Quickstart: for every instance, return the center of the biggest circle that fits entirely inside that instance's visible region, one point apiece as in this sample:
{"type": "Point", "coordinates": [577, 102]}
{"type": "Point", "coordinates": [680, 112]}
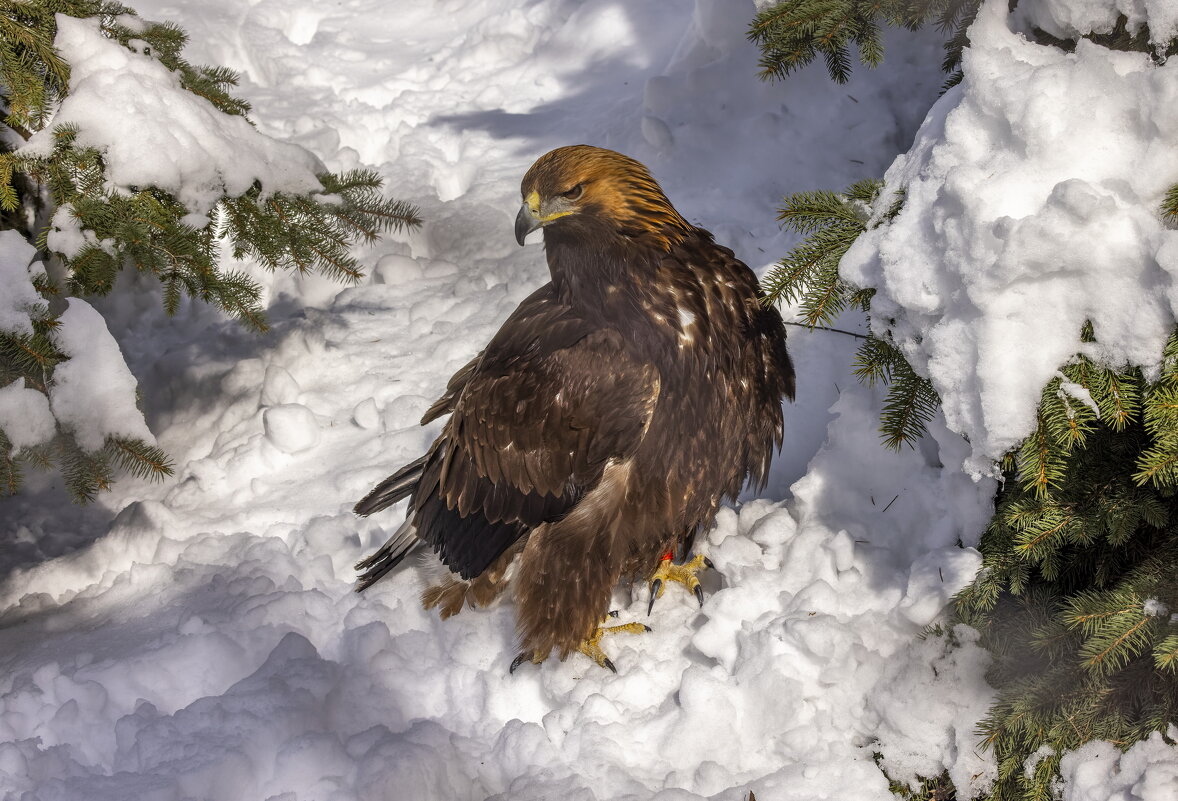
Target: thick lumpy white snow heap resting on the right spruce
{"type": "Point", "coordinates": [1033, 206]}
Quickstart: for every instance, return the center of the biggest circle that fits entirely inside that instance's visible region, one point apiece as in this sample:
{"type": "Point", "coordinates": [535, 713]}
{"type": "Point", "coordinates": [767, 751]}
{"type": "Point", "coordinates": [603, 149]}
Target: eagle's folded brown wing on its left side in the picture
{"type": "Point", "coordinates": [534, 423]}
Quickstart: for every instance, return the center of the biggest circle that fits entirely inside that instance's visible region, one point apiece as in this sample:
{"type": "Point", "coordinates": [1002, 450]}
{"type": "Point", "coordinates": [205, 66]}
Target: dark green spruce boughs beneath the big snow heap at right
{"type": "Point", "coordinates": [1068, 566]}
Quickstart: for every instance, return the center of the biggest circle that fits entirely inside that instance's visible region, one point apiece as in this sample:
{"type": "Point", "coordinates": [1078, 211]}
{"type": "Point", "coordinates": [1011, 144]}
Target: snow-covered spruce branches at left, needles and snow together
{"type": "Point", "coordinates": [118, 154]}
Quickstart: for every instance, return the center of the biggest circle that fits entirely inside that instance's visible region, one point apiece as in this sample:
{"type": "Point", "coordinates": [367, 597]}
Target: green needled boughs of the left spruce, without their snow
{"type": "Point", "coordinates": [147, 228]}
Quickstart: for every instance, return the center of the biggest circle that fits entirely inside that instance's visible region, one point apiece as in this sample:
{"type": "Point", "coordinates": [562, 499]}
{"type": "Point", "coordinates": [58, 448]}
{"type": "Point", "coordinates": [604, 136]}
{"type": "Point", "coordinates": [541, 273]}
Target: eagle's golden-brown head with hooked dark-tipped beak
{"type": "Point", "coordinates": [581, 188]}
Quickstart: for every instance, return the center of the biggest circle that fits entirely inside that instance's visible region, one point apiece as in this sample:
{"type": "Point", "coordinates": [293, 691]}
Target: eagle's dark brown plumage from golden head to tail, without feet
{"type": "Point", "coordinates": [608, 418]}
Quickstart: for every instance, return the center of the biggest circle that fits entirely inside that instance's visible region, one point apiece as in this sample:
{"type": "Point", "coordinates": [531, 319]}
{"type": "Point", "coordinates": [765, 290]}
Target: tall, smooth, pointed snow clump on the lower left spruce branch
{"type": "Point", "coordinates": [94, 393]}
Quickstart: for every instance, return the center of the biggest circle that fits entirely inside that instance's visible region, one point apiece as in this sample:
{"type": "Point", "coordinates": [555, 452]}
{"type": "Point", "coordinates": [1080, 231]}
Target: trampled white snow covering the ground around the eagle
{"type": "Point", "coordinates": [200, 638]}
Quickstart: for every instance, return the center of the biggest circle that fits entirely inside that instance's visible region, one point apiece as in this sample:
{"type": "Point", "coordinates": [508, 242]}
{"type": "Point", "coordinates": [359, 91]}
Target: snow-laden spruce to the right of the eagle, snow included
{"type": "Point", "coordinates": [1071, 390]}
